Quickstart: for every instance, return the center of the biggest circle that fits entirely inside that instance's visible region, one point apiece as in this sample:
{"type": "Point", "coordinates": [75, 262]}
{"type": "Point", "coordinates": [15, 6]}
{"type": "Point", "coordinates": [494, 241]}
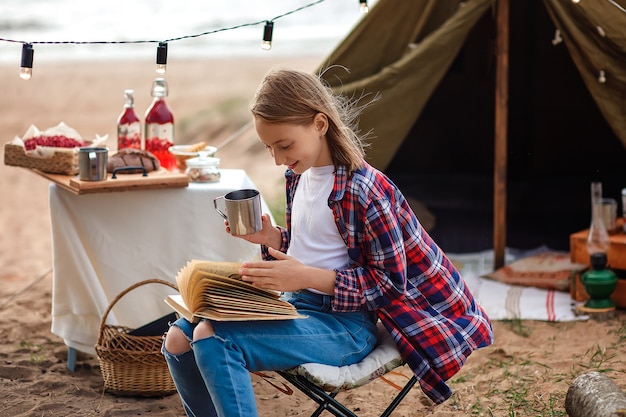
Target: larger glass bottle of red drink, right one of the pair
{"type": "Point", "coordinates": [159, 126]}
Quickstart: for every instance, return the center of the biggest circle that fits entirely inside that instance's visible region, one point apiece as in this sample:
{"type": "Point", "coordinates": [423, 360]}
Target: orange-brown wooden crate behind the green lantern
{"type": "Point", "coordinates": [616, 256]}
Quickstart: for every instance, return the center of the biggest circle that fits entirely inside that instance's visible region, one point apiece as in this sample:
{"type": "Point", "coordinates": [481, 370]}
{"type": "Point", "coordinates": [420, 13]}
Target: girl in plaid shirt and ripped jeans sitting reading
{"type": "Point", "coordinates": [352, 253]}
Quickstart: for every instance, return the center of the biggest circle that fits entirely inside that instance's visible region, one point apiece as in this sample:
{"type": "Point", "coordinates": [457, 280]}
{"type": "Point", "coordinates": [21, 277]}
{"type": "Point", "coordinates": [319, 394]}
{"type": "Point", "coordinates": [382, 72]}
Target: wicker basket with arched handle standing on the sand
{"type": "Point", "coordinates": [132, 365]}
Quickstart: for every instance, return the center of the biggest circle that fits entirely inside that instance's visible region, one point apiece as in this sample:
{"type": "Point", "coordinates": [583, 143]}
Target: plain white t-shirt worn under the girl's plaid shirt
{"type": "Point", "coordinates": [315, 240]}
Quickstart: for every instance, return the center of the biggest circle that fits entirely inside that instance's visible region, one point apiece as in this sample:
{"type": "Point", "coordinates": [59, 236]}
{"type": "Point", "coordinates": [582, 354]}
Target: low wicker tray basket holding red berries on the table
{"type": "Point", "coordinates": [60, 162]}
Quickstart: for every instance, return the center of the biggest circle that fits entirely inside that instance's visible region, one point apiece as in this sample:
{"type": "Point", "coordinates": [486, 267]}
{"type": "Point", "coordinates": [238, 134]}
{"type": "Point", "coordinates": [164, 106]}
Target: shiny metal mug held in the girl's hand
{"type": "Point", "coordinates": [243, 211]}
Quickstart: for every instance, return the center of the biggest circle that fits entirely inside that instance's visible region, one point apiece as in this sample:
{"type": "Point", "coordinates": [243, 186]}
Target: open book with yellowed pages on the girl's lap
{"type": "Point", "coordinates": [214, 290]}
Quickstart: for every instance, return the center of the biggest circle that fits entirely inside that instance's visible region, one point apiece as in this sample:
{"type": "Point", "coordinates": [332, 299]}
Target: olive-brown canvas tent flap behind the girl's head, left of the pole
{"type": "Point", "coordinates": [390, 63]}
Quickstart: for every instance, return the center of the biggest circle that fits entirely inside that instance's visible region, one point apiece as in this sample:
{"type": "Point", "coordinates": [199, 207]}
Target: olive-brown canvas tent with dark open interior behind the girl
{"type": "Point", "coordinates": [433, 64]}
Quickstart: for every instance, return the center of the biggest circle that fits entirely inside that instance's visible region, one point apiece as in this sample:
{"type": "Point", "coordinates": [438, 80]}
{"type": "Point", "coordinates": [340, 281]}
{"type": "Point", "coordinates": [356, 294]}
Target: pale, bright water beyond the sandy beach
{"type": "Point", "coordinates": [313, 30]}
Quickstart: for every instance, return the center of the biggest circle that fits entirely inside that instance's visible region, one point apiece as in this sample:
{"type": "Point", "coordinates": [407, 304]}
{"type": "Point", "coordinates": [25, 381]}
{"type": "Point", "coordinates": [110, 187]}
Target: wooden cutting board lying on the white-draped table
{"type": "Point", "coordinates": [122, 182]}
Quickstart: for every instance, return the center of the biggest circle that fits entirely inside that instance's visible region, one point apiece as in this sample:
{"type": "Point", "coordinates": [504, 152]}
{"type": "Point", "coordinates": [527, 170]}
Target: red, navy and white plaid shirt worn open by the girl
{"type": "Point", "coordinates": [399, 272]}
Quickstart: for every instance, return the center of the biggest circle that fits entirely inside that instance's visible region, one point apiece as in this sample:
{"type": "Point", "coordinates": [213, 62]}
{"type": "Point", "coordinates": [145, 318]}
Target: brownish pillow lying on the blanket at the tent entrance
{"type": "Point", "coordinates": [549, 270]}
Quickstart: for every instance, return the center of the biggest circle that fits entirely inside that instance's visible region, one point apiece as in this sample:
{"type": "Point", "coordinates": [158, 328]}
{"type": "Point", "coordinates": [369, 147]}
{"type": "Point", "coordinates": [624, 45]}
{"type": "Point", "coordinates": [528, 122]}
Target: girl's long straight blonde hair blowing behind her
{"type": "Point", "coordinates": [295, 97]}
